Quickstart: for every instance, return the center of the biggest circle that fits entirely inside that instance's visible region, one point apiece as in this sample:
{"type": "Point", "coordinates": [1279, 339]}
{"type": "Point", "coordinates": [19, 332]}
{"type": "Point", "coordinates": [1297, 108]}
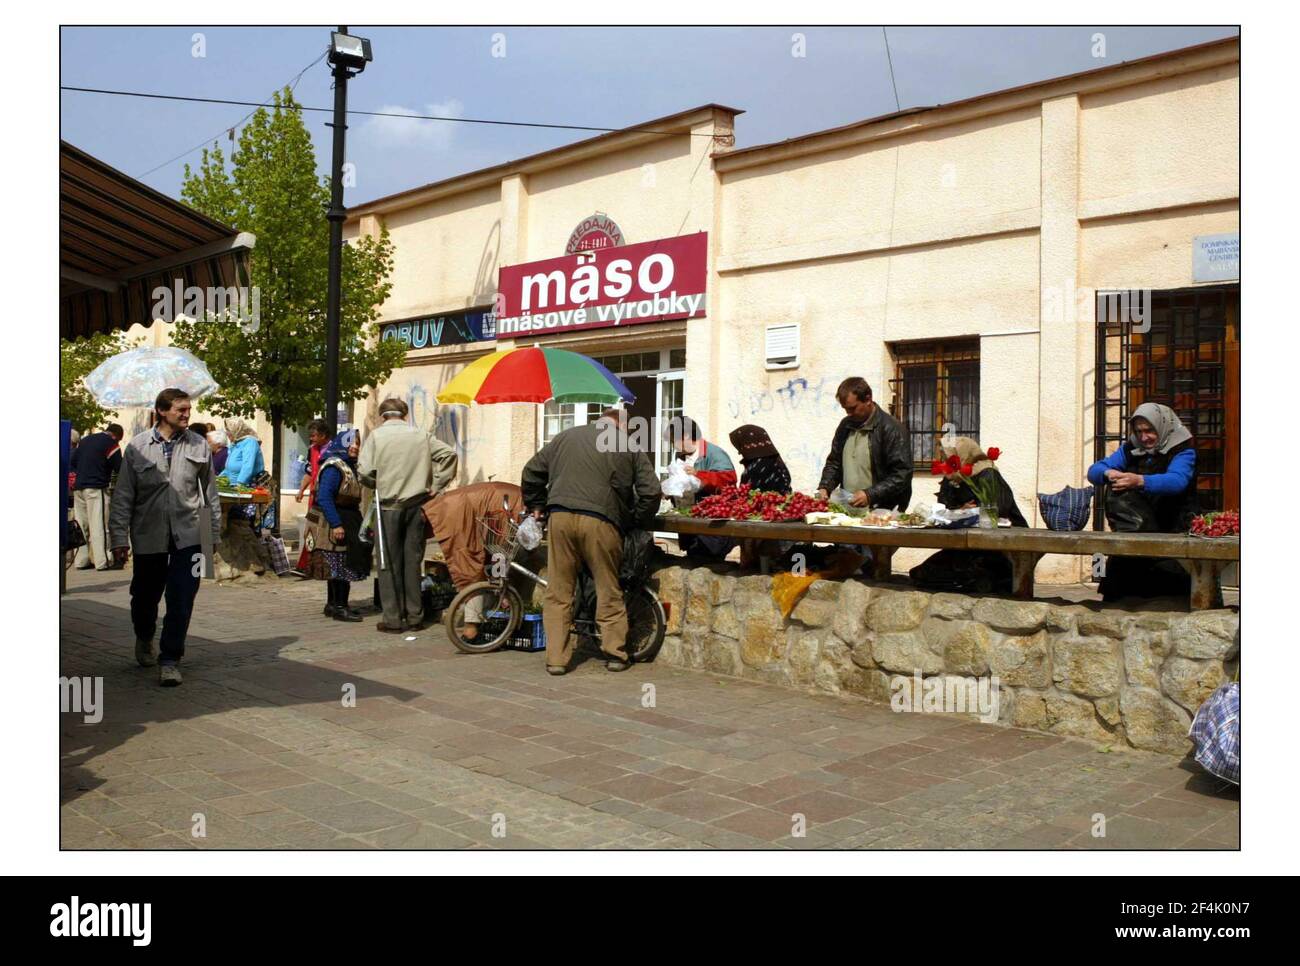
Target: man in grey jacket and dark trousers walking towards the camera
{"type": "Point", "coordinates": [166, 493]}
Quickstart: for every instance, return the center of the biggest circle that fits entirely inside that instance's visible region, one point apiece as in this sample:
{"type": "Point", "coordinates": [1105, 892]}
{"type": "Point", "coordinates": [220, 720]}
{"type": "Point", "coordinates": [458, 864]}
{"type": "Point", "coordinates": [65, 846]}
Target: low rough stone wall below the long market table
{"type": "Point", "coordinates": [1103, 673]}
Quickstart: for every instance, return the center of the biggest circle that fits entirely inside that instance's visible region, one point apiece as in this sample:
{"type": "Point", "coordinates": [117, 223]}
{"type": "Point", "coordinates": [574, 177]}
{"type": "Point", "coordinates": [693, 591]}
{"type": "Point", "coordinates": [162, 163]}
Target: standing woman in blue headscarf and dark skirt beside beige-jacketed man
{"type": "Point", "coordinates": [335, 522]}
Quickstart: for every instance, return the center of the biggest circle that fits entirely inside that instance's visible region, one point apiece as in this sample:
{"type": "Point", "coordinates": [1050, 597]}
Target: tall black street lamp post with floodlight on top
{"type": "Point", "coordinates": [349, 57]}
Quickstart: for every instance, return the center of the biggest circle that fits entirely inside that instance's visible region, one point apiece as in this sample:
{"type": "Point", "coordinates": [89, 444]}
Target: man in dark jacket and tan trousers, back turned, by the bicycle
{"type": "Point", "coordinates": [595, 487]}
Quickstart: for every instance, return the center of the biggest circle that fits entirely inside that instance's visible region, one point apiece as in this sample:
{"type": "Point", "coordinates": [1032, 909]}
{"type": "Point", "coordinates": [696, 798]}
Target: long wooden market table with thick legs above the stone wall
{"type": "Point", "coordinates": [1204, 560]}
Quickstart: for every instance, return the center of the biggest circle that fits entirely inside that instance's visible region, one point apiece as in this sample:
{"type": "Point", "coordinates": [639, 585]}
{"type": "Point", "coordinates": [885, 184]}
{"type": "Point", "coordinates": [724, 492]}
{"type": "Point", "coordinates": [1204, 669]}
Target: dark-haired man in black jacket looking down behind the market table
{"type": "Point", "coordinates": [870, 454]}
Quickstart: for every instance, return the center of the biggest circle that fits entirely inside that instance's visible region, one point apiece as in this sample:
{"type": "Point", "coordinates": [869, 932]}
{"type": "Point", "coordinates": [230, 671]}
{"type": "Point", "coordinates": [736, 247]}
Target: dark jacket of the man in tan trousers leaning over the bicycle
{"type": "Point", "coordinates": [574, 471]}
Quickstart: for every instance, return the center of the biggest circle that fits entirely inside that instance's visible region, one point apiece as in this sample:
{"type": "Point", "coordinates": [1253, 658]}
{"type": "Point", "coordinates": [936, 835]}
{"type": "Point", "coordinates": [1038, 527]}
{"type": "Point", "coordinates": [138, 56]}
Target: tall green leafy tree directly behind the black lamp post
{"type": "Point", "coordinates": [278, 366]}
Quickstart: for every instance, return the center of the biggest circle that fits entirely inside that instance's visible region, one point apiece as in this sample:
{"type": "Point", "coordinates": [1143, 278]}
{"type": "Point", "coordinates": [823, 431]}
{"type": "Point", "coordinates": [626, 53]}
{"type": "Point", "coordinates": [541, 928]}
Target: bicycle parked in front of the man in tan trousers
{"type": "Point", "coordinates": [496, 609]}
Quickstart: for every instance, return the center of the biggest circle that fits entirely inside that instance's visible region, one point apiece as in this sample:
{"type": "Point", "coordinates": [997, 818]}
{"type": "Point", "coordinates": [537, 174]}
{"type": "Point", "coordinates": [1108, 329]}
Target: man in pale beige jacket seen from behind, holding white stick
{"type": "Point", "coordinates": [406, 467]}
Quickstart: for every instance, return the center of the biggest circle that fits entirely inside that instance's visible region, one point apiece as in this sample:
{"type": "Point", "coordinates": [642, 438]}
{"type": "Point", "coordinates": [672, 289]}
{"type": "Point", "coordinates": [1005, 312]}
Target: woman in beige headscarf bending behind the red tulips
{"type": "Point", "coordinates": [970, 571]}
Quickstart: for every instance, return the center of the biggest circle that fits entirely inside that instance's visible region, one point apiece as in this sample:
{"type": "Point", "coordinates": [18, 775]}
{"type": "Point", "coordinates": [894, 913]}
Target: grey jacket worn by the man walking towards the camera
{"type": "Point", "coordinates": [151, 505]}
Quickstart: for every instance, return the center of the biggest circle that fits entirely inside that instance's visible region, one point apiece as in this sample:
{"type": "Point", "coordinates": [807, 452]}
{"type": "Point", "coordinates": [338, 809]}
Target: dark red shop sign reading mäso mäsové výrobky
{"type": "Point", "coordinates": [630, 285]}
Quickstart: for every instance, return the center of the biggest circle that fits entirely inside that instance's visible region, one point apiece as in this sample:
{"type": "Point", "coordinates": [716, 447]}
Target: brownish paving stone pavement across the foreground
{"type": "Point", "coordinates": [445, 751]}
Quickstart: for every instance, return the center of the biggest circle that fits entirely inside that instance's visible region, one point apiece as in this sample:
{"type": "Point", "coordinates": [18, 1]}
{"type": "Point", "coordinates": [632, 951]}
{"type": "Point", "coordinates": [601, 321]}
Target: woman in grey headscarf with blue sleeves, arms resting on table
{"type": "Point", "coordinates": [1150, 487]}
